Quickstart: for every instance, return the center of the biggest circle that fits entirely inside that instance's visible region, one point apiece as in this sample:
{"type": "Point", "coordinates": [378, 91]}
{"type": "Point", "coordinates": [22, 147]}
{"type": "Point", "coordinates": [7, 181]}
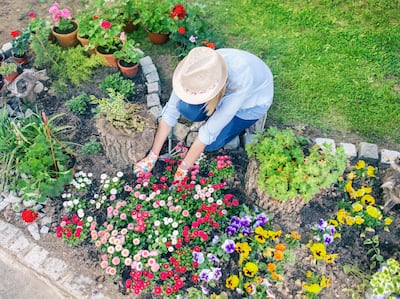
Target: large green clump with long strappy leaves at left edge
{"type": "Point", "coordinates": [35, 162]}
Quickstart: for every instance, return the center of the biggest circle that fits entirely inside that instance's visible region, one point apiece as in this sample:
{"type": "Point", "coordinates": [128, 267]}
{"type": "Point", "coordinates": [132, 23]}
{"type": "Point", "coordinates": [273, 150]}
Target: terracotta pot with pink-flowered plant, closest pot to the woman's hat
{"type": "Point", "coordinates": [128, 56]}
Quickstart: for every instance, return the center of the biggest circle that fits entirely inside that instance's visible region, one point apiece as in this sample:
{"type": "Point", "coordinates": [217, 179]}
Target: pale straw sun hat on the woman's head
{"type": "Point", "coordinates": [200, 76]}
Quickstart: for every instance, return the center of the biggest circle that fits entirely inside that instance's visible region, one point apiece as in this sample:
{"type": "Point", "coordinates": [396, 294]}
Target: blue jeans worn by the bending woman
{"type": "Point", "coordinates": [230, 131]}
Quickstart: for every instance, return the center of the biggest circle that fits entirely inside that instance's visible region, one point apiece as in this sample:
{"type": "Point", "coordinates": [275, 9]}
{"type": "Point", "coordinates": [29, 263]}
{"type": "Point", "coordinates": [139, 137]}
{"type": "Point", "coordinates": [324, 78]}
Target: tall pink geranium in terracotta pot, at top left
{"type": "Point", "coordinates": [64, 28]}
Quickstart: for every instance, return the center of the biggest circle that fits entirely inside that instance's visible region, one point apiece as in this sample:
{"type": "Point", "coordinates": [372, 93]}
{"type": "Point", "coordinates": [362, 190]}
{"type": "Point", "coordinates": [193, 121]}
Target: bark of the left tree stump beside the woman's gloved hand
{"type": "Point", "coordinates": [124, 149]}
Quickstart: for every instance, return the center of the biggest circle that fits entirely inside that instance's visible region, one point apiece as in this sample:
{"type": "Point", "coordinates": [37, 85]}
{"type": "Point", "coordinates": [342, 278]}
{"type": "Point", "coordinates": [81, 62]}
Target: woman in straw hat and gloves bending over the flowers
{"type": "Point", "coordinates": [227, 89]}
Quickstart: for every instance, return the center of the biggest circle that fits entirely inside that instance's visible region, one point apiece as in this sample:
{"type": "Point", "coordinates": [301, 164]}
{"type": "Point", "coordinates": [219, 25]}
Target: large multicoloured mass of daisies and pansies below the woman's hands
{"type": "Point", "coordinates": [166, 239]}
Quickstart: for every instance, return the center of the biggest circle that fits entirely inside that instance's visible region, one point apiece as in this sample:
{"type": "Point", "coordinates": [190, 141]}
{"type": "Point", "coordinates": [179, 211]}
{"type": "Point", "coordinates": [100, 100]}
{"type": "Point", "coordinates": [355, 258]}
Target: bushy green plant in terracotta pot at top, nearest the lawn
{"type": "Point", "coordinates": [156, 18]}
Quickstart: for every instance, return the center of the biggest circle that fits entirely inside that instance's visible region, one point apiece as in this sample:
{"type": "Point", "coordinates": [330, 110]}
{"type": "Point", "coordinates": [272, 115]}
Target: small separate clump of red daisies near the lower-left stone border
{"type": "Point", "coordinates": [72, 230]}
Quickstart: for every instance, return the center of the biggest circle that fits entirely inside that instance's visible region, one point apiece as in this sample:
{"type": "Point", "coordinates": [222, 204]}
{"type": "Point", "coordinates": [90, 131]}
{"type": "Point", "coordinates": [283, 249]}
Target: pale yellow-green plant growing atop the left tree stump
{"type": "Point", "coordinates": [120, 114]}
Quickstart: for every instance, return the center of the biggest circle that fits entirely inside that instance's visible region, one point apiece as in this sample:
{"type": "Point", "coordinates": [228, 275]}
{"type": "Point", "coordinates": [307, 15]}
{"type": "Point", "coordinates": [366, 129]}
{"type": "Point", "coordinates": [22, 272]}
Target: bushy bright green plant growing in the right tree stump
{"type": "Point", "coordinates": [289, 167]}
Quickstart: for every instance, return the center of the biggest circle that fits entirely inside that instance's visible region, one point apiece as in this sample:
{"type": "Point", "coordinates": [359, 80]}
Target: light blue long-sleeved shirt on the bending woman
{"type": "Point", "coordinates": [249, 94]}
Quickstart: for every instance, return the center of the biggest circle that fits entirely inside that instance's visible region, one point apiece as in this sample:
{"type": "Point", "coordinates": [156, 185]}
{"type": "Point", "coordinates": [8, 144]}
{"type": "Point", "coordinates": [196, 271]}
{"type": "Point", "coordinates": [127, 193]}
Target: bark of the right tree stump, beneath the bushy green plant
{"type": "Point", "coordinates": [265, 201]}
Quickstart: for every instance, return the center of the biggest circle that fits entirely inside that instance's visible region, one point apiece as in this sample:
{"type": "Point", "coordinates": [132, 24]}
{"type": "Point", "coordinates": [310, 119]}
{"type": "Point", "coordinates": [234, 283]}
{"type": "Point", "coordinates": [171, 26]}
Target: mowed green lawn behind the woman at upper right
{"type": "Point", "coordinates": [336, 64]}
